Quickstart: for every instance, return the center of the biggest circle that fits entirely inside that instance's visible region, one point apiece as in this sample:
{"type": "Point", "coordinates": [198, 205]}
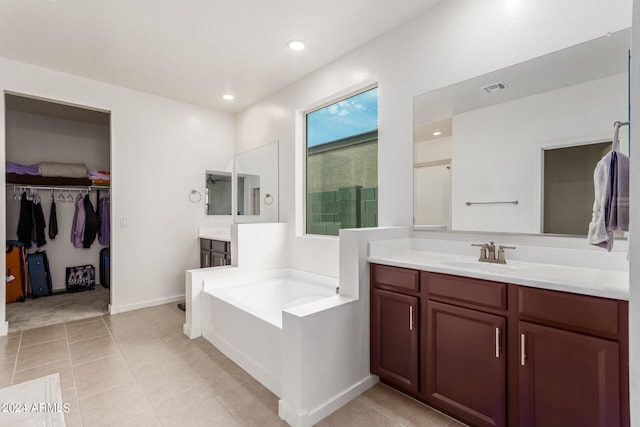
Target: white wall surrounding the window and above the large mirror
{"type": "Point", "coordinates": [454, 41]}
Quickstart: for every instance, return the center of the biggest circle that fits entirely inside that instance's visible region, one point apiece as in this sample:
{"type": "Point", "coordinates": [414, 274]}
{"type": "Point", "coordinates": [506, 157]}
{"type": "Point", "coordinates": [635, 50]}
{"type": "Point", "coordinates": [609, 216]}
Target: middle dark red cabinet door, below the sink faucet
{"type": "Point", "coordinates": [466, 363]}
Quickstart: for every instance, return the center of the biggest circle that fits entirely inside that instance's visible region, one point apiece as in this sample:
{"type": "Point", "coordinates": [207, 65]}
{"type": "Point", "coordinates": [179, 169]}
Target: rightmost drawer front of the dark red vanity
{"type": "Point", "coordinates": [574, 311]}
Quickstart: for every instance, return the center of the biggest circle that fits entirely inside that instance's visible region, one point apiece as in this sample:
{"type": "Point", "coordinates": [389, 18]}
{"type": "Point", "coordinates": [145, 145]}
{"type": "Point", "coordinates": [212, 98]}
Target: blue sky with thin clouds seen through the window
{"type": "Point", "coordinates": [351, 116]}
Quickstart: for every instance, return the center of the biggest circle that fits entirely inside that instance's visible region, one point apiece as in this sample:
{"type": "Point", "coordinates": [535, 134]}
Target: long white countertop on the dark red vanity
{"type": "Point", "coordinates": [581, 280]}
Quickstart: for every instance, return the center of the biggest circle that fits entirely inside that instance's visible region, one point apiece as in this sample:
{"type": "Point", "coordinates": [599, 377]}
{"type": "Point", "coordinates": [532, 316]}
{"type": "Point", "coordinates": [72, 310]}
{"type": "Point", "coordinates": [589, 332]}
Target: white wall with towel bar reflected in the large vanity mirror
{"type": "Point", "coordinates": [519, 130]}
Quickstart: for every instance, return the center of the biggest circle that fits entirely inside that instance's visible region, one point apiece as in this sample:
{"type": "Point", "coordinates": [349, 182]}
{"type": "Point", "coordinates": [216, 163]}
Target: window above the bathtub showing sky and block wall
{"type": "Point", "coordinates": [342, 164]}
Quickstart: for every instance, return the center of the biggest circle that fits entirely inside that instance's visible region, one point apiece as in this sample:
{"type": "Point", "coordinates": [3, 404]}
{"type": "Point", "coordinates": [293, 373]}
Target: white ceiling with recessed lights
{"type": "Point", "coordinates": [195, 50]}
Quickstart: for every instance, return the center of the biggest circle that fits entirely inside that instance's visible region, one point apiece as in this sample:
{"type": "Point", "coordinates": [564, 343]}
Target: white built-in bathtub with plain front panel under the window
{"type": "Point", "coordinates": [243, 318]}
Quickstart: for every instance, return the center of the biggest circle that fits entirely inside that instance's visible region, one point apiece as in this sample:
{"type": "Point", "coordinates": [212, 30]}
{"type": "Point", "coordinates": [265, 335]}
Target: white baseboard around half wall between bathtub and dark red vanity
{"type": "Point", "coordinates": [309, 418]}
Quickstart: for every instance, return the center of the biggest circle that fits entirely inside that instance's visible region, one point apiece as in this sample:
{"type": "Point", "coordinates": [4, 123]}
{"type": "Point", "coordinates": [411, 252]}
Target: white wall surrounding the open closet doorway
{"type": "Point", "coordinates": [160, 150]}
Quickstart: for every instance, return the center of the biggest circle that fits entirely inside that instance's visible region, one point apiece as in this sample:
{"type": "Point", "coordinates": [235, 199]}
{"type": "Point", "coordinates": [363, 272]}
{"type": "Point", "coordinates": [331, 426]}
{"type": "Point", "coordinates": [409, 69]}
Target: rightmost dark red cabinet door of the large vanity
{"type": "Point", "coordinates": [567, 379]}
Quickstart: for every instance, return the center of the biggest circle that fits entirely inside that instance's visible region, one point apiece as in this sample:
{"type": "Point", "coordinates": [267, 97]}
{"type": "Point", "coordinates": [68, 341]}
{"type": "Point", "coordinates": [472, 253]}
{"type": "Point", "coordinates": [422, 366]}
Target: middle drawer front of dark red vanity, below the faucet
{"type": "Point", "coordinates": [470, 292]}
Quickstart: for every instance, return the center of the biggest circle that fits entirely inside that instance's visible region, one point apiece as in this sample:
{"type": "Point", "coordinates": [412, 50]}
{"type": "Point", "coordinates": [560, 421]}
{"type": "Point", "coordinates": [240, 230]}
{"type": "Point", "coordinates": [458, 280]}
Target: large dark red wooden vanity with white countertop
{"type": "Point", "coordinates": [498, 353]}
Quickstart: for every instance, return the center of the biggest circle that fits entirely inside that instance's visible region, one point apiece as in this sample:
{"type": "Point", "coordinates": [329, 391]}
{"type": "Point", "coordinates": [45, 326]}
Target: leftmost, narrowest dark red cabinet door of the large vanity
{"type": "Point", "coordinates": [394, 339]}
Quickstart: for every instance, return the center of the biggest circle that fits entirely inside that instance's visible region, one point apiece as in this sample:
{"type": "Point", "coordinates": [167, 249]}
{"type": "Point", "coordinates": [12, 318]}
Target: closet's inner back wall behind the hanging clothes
{"type": "Point", "coordinates": [32, 138]}
